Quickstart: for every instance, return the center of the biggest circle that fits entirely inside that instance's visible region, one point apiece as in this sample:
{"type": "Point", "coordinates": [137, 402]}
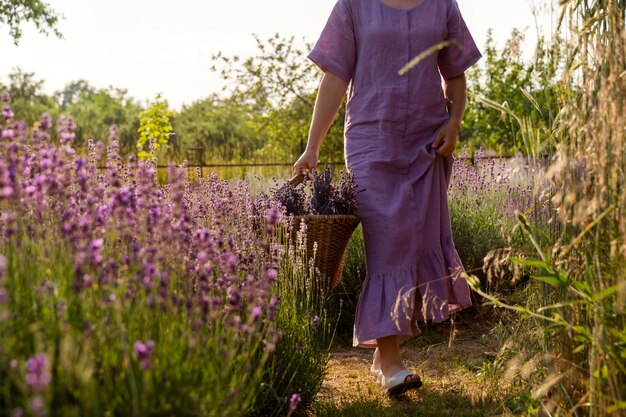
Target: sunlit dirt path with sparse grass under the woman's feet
{"type": "Point", "coordinates": [458, 376]}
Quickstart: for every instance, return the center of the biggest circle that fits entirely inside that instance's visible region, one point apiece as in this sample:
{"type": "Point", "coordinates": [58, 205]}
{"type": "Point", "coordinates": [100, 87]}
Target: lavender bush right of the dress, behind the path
{"type": "Point", "coordinates": [484, 195]}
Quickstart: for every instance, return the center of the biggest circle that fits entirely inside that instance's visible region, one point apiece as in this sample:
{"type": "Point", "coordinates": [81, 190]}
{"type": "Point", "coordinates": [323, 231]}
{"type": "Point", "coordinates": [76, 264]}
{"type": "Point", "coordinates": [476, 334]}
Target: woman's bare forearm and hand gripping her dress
{"type": "Point", "coordinates": [455, 90]}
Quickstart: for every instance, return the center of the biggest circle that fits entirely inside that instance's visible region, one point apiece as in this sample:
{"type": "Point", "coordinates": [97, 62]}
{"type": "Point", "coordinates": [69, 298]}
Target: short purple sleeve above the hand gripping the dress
{"type": "Point", "coordinates": [463, 52]}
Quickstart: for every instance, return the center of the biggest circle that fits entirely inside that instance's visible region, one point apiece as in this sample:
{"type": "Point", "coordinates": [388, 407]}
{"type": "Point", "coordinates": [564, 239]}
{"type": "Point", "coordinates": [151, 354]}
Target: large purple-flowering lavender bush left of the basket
{"type": "Point", "coordinates": [119, 296]}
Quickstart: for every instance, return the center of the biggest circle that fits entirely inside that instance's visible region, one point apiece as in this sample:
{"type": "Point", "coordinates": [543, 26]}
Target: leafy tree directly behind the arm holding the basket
{"type": "Point", "coordinates": [278, 86]}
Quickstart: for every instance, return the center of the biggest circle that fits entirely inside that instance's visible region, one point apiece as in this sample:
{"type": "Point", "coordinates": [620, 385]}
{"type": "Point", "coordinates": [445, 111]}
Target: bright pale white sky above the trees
{"type": "Point", "coordinates": [166, 47]}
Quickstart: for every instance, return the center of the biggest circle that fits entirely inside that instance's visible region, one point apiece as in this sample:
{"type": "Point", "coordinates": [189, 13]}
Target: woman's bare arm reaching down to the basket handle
{"type": "Point", "coordinates": [329, 97]}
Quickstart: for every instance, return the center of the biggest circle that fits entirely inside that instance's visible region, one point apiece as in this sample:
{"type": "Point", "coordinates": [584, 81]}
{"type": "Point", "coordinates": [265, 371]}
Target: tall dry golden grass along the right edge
{"type": "Point", "coordinates": [574, 314]}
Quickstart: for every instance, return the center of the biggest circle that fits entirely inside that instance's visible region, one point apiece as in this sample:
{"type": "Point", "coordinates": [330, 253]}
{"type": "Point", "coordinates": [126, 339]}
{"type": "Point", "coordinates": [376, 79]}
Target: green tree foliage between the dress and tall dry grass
{"type": "Point", "coordinates": [507, 93]}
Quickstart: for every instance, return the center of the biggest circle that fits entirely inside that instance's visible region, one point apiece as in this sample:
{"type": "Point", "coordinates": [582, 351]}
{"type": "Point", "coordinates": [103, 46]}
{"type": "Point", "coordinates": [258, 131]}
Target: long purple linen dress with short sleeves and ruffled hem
{"type": "Point", "coordinates": [413, 269]}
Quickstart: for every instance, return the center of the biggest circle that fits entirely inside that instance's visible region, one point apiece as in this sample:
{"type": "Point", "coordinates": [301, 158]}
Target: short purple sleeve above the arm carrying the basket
{"type": "Point", "coordinates": [335, 50]}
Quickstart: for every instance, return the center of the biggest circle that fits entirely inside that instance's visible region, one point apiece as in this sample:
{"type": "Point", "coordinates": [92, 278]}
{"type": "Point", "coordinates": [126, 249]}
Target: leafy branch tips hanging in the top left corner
{"type": "Point", "coordinates": [15, 12]}
